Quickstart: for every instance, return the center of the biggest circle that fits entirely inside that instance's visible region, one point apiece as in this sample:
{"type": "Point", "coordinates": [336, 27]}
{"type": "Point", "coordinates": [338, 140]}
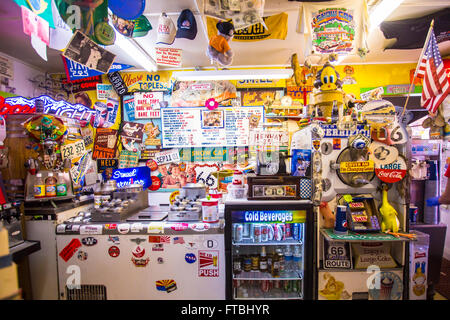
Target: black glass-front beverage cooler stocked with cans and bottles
{"type": "Point", "coordinates": [269, 248]}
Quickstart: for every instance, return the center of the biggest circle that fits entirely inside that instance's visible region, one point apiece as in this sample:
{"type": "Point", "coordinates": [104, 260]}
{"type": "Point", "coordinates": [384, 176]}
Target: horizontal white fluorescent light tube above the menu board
{"type": "Point", "coordinates": [250, 74]}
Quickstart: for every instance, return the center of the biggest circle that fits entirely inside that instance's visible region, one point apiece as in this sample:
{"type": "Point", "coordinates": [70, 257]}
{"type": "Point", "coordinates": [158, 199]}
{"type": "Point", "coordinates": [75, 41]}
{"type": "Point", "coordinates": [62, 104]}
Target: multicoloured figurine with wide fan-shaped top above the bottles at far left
{"type": "Point", "coordinates": [49, 131]}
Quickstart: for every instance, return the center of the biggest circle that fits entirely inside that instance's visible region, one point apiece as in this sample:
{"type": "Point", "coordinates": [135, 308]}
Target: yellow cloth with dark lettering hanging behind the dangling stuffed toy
{"type": "Point", "coordinates": [276, 29]}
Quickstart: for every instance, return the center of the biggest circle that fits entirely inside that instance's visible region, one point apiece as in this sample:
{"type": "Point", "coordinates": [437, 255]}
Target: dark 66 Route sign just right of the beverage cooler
{"type": "Point", "coordinates": [337, 255]}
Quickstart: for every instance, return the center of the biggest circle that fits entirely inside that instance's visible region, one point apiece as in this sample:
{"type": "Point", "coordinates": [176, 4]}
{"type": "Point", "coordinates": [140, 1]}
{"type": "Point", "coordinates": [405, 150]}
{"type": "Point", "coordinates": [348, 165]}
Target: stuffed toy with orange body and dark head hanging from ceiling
{"type": "Point", "coordinates": [218, 49]}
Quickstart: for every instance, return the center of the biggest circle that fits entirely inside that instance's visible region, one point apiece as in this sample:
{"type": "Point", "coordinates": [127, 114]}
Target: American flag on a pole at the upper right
{"type": "Point", "coordinates": [435, 83]}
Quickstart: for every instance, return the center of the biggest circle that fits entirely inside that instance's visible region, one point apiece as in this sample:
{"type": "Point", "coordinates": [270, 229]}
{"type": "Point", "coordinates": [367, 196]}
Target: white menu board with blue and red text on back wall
{"type": "Point", "coordinates": [200, 127]}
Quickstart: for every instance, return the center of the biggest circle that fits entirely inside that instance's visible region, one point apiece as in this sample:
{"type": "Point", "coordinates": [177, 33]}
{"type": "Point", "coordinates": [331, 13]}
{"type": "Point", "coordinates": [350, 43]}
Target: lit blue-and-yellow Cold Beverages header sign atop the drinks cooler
{"type": "Point", "coordinates": [291, 216]}
